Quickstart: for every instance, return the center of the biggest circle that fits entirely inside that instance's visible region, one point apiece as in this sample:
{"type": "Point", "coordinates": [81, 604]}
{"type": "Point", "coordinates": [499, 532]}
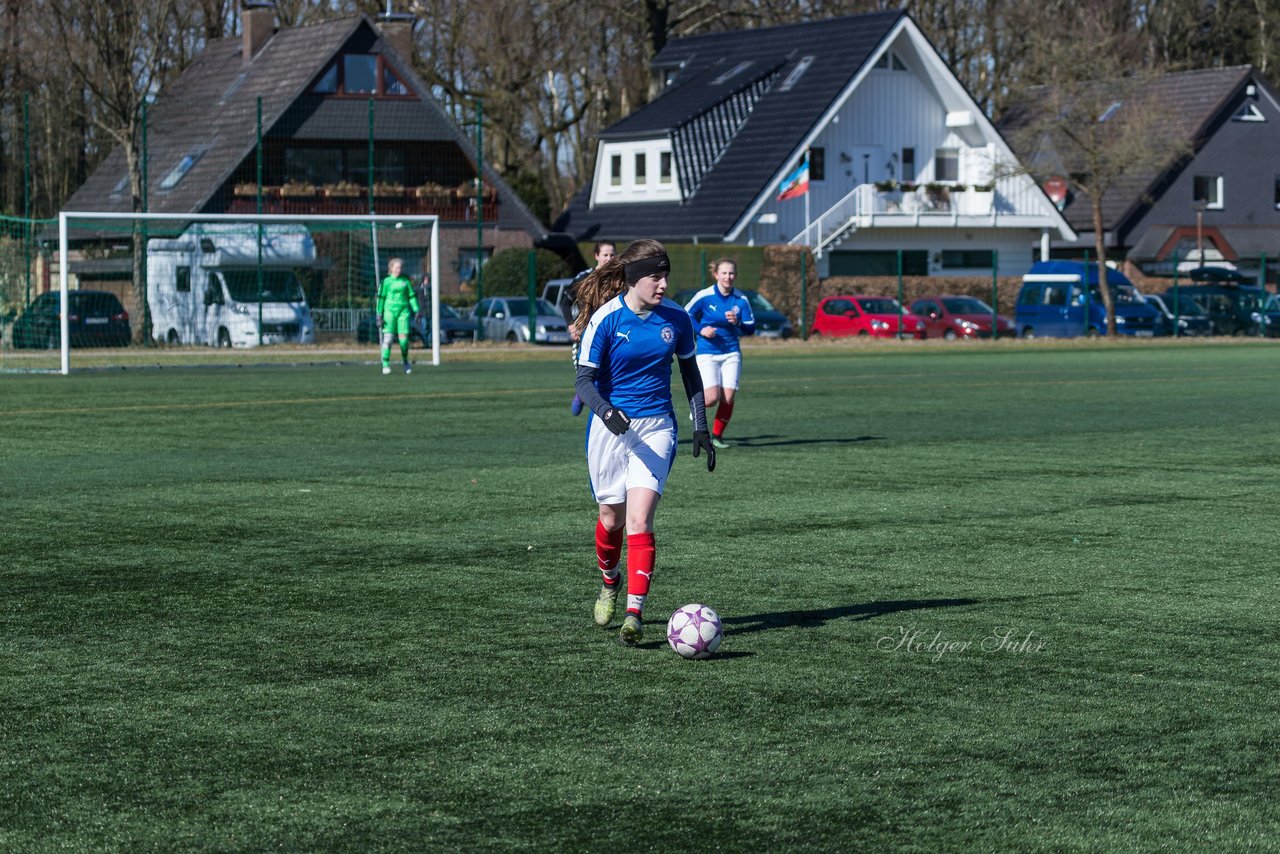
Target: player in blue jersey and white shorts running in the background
{"type": "Point", "coordinates": [721, 314]}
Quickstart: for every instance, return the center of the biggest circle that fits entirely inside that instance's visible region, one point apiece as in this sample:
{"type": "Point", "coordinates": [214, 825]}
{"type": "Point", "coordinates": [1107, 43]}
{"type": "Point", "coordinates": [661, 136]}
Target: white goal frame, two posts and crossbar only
{"type": "Point", "coordinates": [248, 220]}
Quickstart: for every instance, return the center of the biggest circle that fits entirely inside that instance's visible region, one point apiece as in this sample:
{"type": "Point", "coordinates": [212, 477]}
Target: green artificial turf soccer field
{"type": "Point", "coordinates": [316, 609]}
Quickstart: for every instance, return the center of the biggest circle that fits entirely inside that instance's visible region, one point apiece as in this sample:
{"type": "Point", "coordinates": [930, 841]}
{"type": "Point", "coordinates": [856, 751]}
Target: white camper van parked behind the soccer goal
{"type": "Point", "coordinates": [204, 287]}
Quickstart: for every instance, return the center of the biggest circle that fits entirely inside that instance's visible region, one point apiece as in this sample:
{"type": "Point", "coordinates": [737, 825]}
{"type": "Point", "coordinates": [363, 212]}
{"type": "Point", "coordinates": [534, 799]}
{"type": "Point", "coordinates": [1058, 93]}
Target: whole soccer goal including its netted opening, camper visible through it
{"type": "Point", "coordinates": [239, 281]}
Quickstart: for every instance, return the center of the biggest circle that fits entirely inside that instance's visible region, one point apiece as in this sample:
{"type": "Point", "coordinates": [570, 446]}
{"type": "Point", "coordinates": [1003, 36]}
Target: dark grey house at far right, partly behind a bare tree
{"type": "Point", "coordinates": [1219, 203]}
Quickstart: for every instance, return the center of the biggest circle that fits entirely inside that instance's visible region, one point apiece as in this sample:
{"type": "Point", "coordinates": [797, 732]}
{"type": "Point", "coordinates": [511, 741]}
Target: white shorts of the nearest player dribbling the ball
{"type": "Point", "coordinates": [641, 458]}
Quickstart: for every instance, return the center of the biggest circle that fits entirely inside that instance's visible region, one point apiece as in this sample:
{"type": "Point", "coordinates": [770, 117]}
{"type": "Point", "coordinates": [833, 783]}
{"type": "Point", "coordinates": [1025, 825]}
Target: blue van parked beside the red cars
{"type": "Point", "coordinates": [1053, 304]}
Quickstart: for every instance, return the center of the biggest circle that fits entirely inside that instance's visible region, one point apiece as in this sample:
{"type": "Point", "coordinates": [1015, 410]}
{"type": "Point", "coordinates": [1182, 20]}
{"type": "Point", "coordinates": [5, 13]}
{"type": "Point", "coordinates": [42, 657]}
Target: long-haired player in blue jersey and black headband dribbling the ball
{"type": "Point", "coordinates": [629, 335]}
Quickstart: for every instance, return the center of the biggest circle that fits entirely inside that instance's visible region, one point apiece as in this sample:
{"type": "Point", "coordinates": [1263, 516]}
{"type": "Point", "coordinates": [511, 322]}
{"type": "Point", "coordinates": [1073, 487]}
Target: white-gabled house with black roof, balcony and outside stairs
{"type": "Point", "coordinates": [900, 157]}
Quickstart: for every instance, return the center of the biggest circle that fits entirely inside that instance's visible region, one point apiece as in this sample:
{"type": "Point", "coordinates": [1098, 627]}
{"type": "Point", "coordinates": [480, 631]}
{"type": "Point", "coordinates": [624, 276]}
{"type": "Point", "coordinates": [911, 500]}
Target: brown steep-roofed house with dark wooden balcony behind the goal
{"type": "Point", "coordinates": [346, 127]}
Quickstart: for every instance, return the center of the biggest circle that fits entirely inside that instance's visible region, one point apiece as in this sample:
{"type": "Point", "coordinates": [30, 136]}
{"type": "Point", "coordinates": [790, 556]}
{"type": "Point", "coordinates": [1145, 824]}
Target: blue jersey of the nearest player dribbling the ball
{"type": "Point", "coordinates": [633, 357]}
